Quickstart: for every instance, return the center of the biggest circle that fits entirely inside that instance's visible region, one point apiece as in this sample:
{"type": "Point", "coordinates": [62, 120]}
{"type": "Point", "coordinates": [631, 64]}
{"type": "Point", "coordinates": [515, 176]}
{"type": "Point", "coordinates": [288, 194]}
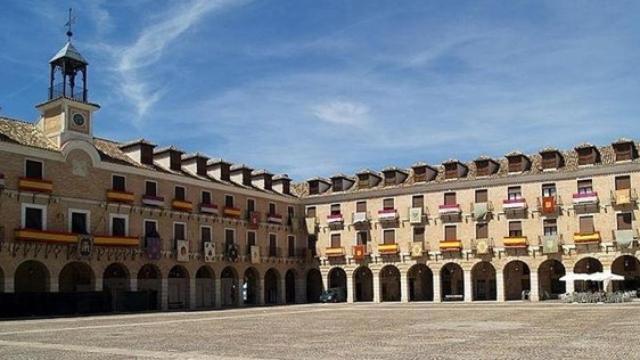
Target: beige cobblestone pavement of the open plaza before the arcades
{"type": "Point", "coordinates": [338, 331]}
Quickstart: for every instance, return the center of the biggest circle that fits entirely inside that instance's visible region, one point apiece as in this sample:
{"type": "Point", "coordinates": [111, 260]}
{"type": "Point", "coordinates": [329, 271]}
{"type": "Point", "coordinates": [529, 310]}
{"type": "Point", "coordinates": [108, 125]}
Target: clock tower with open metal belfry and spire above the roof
{"type": "Point", "coordinates": [67, 114]}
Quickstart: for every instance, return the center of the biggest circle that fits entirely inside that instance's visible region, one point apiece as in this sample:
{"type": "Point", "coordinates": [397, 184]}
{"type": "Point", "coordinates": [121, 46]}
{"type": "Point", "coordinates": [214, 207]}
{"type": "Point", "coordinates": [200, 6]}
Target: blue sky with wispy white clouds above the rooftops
{"type": "Point", "coordinates": [318, 87]}
